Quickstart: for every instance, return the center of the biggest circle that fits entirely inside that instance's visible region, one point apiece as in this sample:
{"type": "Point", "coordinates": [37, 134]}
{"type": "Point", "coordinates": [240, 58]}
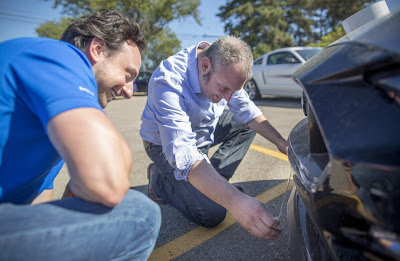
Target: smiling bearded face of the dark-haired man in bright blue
{"type": "Point", "coordinates": [114, 74]}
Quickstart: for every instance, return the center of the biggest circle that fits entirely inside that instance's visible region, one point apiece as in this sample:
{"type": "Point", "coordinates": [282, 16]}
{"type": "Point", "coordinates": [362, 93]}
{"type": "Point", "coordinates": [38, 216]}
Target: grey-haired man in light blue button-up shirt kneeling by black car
{"type": "Point", "coordinates": [185, 115]}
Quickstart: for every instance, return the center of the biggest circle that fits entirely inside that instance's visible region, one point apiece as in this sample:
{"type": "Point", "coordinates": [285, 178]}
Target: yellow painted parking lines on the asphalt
{"type": "Point", "coordinates": [200, 234]}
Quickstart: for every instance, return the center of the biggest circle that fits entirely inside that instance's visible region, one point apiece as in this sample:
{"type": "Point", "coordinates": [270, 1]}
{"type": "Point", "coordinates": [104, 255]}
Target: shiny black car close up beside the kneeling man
{"type": "Point", "coordinates": [345, 155]}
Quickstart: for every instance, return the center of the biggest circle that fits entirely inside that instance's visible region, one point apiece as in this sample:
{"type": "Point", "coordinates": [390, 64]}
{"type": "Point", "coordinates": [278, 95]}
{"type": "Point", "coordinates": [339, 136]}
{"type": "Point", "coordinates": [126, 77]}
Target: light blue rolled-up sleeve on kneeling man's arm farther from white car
{"type": "Point", "coordinates": [177, 138]}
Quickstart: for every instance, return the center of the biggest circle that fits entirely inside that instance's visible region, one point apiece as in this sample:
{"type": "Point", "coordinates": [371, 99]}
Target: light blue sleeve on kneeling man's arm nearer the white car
{"type": "Point", "coordinates": [243, 108]}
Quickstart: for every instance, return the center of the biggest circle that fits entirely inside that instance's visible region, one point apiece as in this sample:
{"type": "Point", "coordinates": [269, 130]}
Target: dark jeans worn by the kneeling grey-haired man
{"type": "Point", "coordinates": [236, 139]}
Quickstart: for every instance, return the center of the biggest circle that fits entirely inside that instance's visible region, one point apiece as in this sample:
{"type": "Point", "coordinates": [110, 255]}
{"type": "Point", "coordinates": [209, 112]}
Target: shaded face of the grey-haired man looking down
{"type": "Point", "coordinates": [221, 84]}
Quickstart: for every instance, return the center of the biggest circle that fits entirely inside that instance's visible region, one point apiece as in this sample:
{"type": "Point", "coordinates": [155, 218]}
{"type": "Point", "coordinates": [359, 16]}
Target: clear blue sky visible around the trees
{"type": "Point", "coordinates": [20, 18]}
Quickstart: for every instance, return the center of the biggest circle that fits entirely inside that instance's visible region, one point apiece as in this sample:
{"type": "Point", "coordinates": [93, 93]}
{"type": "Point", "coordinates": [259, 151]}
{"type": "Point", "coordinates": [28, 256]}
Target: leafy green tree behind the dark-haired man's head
{"type": "Point", "coordinates": [153, 17]}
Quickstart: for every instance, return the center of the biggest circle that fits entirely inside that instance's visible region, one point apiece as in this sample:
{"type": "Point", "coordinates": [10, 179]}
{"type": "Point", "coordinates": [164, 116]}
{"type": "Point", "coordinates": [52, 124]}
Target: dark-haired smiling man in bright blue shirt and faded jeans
{"type": "Point", "coordinates": [52, 95]}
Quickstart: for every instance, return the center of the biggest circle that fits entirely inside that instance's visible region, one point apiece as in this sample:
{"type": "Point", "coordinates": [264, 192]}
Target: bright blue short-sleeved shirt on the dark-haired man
{"type": "Point", "coordinates": [39, 78]}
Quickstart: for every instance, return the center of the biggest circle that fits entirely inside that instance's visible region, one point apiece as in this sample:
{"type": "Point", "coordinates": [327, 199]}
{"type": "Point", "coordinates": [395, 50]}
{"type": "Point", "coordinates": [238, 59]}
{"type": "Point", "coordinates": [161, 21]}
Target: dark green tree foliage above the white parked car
{"type": "Point", "coordinates": [270, 24]}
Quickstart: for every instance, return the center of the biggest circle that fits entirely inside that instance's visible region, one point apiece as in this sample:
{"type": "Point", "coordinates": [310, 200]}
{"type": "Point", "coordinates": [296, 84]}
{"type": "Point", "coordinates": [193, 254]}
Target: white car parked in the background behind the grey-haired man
{"type": "Point", "coordinates": [272, 72]}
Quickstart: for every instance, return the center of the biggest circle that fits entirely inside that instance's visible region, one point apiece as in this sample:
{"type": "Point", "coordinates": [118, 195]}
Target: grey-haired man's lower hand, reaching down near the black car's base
{"type": "Point", "coordinates": [252, 215]}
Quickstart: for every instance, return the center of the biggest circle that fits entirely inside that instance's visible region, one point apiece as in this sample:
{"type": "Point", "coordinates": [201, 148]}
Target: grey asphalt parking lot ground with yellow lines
{"type": "Point", "coordinates": [263, 173]}
